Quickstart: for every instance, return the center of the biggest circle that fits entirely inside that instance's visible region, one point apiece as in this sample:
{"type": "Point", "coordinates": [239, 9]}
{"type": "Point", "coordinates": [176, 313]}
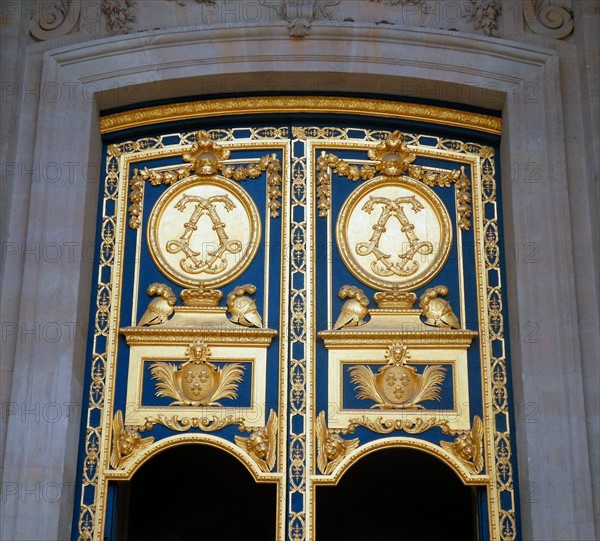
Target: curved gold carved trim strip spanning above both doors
{"type": "Point", "coordinates": [299, 104]}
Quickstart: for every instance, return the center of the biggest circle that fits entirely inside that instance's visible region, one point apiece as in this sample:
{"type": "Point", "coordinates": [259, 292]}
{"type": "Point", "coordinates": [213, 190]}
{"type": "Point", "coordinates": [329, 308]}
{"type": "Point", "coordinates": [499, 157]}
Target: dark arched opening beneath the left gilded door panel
{"type": "Point", "coordinates": [195, 492]}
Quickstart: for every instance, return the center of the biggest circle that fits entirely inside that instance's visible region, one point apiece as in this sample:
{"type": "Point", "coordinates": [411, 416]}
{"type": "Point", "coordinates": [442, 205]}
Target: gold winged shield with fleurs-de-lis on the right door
{"type": "Point", "coordinates": [397, 385]}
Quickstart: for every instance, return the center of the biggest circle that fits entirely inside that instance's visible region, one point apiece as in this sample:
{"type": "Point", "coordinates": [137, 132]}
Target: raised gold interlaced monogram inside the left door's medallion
{"type": "Point", "coordinates": [214, 262]}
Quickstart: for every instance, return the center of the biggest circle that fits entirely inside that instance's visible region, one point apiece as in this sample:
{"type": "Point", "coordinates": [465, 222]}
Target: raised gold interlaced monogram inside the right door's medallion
{"type": "Point", "coordinates": [406, 265]}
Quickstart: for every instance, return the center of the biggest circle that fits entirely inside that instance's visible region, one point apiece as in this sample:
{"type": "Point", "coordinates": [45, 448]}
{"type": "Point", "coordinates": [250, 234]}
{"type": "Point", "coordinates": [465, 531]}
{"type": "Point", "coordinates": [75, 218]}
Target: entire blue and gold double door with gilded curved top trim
{"type": "Point", "coordinates": [299, 282]}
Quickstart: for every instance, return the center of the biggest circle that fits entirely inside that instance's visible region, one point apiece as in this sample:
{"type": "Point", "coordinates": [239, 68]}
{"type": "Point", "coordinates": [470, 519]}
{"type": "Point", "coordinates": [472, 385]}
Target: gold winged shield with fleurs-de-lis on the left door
{"type": "Point", "coordinates": [197, 382]}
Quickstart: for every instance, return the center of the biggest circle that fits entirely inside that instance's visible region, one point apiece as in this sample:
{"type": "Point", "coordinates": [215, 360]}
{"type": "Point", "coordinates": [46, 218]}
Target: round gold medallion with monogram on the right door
{"type": "Point", "coordinates": [394, 233]}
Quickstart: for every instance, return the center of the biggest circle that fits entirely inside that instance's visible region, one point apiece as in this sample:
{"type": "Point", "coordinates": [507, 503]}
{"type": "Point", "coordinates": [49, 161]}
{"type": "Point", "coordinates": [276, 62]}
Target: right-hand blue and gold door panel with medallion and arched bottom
{"type": "Point", "coordinates": [402, 303]}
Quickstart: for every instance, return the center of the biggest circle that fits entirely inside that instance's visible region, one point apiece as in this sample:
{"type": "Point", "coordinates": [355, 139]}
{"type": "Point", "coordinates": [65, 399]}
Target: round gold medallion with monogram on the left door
{"type": "Point", "coordinates": [204, 231]}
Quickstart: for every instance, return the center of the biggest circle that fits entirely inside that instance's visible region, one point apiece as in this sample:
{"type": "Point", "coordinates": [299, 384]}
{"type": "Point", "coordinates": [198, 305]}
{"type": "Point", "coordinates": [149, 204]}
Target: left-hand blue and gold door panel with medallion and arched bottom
{"type": "Point", "coordinates": [187, 347]}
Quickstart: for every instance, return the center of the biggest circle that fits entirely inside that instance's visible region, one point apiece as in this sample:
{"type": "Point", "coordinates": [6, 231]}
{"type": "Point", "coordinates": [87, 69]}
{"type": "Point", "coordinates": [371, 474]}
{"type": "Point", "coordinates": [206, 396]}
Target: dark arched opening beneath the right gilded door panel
{"type": "Point", "coordinates": [396, 494]}
